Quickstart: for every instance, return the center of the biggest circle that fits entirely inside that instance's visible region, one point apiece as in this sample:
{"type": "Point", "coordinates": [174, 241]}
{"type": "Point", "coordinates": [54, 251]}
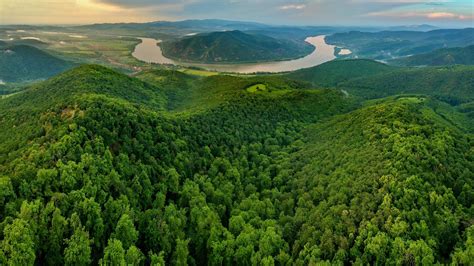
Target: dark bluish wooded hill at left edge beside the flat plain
{"type": "Point", "coordinates": [24, 63]}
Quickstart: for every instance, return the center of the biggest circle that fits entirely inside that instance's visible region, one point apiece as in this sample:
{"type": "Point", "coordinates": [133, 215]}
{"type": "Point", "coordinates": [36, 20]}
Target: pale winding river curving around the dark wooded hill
{"type": "Point", "coordinates": [149, 51]}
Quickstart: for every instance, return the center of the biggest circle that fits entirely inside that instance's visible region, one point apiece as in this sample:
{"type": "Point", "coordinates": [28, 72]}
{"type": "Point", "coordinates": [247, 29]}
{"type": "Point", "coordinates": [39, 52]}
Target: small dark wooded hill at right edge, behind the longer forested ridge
{"type": "Point", "coordinates": [446, 56]}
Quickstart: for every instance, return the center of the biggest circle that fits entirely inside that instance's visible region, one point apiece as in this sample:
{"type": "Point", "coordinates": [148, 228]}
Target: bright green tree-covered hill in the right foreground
{"type": "Point", "coordinates": [410, 202]}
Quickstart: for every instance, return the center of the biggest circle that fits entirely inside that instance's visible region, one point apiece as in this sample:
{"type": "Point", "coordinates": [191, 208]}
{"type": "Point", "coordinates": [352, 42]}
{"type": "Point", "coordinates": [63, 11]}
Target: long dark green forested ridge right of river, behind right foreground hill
{"type": "Point", "coordinates": [370, 79]}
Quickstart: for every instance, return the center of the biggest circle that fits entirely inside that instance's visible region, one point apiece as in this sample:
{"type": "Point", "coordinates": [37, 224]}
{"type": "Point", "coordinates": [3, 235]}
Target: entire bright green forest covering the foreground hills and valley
{"type": "Point", "coordinates": [104, 175]}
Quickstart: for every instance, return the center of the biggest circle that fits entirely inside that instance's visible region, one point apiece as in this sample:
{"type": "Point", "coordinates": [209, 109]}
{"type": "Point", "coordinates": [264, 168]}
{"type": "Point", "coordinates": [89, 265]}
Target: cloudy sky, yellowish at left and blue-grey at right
{"type": "Point", "coordinates": [444, 13]}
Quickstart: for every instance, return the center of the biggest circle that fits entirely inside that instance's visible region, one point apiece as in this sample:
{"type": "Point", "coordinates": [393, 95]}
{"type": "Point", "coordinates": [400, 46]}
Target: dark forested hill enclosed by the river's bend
{"type": "Point", "coordinates": [233, 47]}
